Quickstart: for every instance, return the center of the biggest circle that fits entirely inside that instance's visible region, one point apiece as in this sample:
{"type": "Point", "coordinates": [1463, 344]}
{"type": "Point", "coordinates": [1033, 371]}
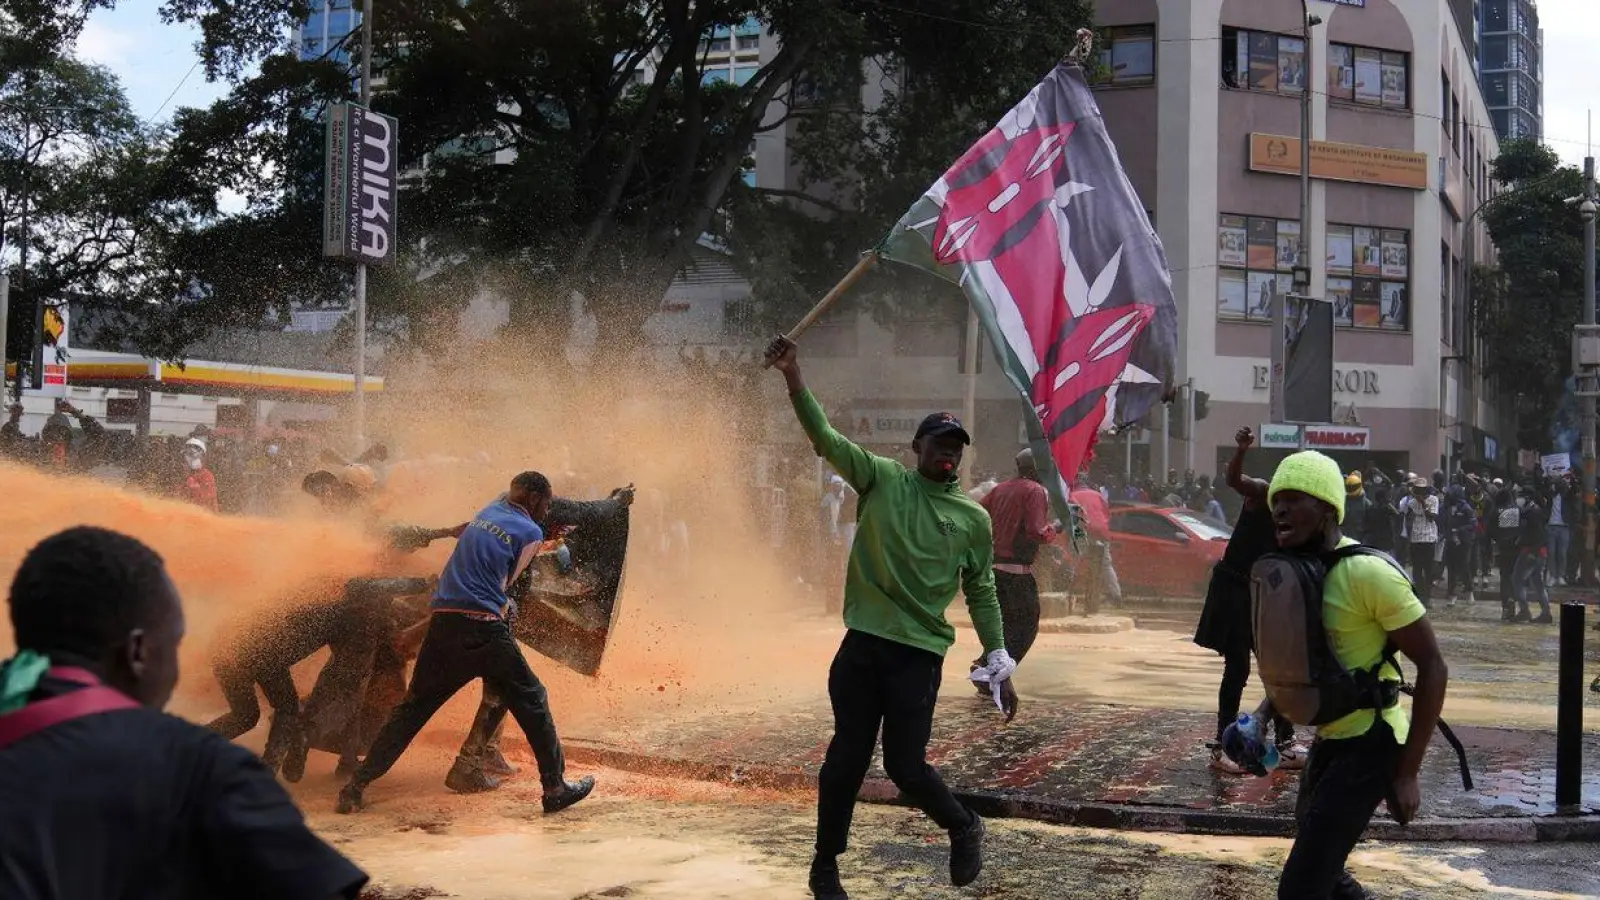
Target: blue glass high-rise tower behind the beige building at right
{"type": "Point", "coordinates": [1511, 66]}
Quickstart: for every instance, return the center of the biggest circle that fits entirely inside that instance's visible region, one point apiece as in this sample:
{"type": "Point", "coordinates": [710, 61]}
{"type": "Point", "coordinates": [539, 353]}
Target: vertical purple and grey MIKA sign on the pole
{"type": "Point", "coordinates": [361, 187]}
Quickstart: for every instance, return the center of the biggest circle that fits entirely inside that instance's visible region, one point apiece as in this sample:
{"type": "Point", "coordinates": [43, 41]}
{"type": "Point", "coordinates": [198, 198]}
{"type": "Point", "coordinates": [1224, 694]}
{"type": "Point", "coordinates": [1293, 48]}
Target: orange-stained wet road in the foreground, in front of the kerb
{"type": "Point", "coordinates": [662, 840]}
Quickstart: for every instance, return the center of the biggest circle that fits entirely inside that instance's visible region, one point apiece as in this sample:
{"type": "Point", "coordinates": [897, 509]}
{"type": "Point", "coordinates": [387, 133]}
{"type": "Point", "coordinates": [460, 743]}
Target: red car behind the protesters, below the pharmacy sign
{"type": "Point", "coordinates": [1166, 552]}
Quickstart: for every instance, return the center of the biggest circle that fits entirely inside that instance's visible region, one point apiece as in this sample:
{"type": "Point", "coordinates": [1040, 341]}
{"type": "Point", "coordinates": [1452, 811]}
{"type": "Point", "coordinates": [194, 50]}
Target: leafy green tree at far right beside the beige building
{"type": "Point", "coordinates": [1527, 310]}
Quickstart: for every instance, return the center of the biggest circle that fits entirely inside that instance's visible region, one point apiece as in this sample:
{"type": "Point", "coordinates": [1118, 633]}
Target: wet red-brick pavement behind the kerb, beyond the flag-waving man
{"type": "Point", "coordinates": [1074, 758]}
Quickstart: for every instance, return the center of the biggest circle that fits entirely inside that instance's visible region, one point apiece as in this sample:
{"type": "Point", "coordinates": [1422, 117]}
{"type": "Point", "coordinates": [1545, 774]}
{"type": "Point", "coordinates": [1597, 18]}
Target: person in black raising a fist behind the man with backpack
{"type": "Point", "coordinates": [1225, 619]}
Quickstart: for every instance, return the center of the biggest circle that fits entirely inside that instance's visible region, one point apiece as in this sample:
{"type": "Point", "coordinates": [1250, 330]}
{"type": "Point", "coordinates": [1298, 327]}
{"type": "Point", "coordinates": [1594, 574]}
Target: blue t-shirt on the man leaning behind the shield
{"type": "Point", "coordinates": [497, 545]}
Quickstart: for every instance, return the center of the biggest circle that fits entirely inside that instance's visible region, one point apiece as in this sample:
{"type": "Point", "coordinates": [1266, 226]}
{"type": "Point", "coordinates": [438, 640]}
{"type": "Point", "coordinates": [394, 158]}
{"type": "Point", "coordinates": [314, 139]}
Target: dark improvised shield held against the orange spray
{"type": "Point", "coordinates": [569, 617]}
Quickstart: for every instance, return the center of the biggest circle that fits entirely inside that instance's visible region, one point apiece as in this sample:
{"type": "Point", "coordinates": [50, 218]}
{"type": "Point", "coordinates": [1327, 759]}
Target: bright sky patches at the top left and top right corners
{"type": "Point", "coordinates": [158, 62]}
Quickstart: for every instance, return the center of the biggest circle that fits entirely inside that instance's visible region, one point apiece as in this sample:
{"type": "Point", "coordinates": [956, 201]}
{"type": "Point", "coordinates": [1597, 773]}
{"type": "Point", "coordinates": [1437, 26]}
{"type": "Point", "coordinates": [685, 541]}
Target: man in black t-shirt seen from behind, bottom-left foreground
{"type": "Point", "coordinates": [106, 795]}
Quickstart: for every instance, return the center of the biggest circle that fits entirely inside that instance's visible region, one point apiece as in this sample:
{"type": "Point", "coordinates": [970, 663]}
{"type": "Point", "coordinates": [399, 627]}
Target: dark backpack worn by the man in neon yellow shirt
{"type": "Point", "coordinates": [1305, 680]}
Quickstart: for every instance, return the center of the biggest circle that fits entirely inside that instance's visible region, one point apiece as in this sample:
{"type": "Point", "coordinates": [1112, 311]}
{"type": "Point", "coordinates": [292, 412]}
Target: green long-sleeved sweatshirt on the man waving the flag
{"type": "Point", "coordinates": [916, 542]}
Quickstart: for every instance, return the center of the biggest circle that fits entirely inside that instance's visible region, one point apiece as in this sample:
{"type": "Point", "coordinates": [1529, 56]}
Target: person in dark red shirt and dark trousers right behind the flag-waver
{"type": "Point", "coordinates": [1020, 513]}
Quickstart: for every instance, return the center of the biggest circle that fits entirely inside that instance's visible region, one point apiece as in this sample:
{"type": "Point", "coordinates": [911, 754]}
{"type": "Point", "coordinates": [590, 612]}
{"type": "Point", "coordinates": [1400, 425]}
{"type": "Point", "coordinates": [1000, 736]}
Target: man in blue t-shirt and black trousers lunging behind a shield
{"type": "Point", "coordinates": [470, 640]}
